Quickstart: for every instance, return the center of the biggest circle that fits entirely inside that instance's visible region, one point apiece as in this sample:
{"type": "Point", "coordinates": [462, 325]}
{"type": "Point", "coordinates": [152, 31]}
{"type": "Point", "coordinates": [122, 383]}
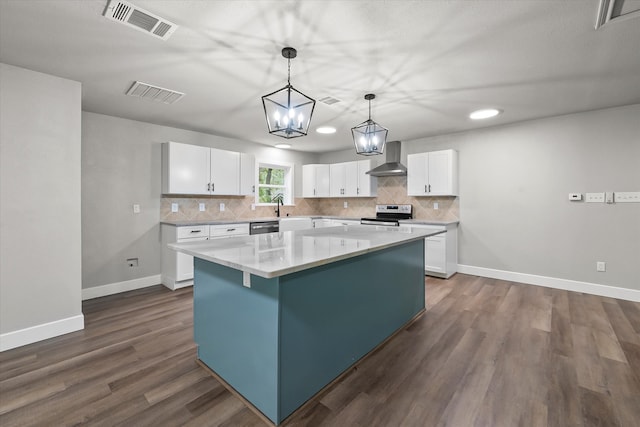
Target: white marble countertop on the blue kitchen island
{"type": "Point", "coordinates": [276, 254]}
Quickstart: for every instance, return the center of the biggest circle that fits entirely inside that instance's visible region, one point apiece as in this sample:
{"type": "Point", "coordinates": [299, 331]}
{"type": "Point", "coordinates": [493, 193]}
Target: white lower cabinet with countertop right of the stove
{"type": "Point", "coordinates": [440, 251]}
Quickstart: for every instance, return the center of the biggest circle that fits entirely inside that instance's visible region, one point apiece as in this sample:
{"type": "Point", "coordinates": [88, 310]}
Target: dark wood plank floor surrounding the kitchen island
{"type": "Point", "coordinates": [486, 353]}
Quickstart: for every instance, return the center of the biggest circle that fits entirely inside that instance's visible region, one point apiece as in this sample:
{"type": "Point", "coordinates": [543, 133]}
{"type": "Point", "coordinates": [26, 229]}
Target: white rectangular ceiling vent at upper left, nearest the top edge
{"type": "Point", "coordinates": [140, 19]}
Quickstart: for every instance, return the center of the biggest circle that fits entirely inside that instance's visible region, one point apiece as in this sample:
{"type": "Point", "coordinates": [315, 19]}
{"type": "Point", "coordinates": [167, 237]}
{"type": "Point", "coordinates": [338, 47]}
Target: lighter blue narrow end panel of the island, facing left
{"type": "Point", "coordinates": [236, 330]}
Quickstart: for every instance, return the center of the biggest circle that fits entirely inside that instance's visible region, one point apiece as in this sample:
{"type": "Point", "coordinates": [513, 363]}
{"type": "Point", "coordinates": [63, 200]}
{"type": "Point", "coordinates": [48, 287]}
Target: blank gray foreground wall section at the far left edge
{"type": "Point", "coordinates": [40, 253]}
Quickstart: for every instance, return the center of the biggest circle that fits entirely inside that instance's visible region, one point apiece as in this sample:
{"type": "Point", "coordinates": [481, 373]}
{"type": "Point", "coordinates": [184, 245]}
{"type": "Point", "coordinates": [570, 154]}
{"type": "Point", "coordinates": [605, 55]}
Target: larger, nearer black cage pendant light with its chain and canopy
{"type": "Point", "coordinates": [288, 111]}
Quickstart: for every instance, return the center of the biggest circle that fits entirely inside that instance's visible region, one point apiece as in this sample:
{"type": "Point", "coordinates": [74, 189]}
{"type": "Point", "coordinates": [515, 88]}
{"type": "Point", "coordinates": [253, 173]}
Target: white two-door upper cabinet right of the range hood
{"type": "Point", "coordinates": [433, 174]}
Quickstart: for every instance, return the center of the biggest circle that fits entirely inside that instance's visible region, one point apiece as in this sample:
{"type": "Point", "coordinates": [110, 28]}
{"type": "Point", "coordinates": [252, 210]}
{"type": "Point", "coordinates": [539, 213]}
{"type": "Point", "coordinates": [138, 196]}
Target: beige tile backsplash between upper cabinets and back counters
{"type": "Point", "coordinates": [391, 190]}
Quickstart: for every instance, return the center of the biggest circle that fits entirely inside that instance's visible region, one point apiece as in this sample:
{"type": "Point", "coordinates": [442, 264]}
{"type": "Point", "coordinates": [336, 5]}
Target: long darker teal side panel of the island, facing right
{"type": "Point", "coordinates": [333, 315]}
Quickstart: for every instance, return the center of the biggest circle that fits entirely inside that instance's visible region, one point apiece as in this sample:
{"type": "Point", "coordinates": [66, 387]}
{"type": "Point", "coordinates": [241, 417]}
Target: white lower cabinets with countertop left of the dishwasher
{"type": "Point", "coordinates": [177, 268]}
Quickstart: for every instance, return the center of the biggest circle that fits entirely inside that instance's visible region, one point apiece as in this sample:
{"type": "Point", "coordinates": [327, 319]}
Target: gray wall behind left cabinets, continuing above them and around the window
{"type": "Point", "coordinates": [121, 165]}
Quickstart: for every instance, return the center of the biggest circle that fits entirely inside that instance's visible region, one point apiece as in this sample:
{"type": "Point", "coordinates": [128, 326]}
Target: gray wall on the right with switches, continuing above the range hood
{"type": "Point", "coordinates": [514, 186]}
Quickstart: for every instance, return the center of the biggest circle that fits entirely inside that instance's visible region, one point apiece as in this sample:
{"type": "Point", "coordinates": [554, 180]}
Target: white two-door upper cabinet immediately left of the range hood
{"type": "Point", "coordinates": [349, 179]}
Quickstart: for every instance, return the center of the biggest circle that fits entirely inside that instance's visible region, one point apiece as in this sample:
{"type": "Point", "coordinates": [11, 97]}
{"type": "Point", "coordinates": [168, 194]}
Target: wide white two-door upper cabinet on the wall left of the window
{"type": "Point", "coordinates": [191, 169]}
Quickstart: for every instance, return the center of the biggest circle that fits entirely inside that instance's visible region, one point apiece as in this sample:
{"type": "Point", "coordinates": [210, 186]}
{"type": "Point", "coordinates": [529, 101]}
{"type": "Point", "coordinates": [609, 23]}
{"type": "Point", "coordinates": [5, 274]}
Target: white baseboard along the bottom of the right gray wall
{"type": "Point", "coordinates": [553, 282]}
